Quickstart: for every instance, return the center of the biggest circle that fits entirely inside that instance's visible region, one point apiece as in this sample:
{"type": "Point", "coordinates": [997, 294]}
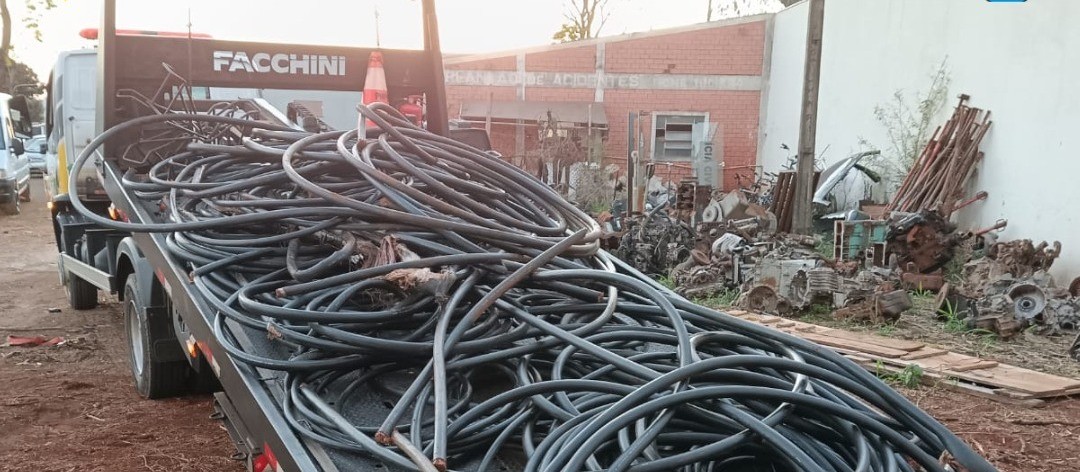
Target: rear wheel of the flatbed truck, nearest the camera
{"type": "Point", "coordinates": [154, 379]}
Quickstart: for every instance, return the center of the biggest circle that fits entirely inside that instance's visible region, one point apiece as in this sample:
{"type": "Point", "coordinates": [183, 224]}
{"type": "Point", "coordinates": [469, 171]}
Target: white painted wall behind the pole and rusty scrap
{"type": "Point", "coordinates": [1021, 61]}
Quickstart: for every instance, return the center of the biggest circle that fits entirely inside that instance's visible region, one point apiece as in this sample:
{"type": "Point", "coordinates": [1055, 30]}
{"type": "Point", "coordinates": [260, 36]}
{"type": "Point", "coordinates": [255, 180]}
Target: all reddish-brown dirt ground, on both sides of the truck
{"type": "Point", "coordinates": [73, 408]}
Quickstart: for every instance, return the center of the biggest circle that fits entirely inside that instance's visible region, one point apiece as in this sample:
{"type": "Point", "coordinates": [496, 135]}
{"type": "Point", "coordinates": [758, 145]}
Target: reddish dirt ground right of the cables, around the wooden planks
{"type": "Point", "coordinates": [1014, 438]}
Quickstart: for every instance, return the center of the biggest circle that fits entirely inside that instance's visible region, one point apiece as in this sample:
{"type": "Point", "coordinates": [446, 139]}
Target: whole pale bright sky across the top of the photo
{"type": "Point", "coordinates": [466, 26]}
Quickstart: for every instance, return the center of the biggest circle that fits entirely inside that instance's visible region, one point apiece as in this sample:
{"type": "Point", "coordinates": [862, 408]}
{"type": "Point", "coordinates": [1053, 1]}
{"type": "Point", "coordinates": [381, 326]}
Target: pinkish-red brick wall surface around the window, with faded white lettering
{"type": "Point", "coordinates": [719, 69]}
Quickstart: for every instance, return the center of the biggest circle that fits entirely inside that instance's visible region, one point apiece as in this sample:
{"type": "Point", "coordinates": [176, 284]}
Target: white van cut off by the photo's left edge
{"type": "Point", "coordinates": [15, 165]}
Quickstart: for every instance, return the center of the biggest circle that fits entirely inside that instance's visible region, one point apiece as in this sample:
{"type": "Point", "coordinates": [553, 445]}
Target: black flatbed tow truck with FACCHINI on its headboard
{"type": "Point", "coordinates": [170, 332]}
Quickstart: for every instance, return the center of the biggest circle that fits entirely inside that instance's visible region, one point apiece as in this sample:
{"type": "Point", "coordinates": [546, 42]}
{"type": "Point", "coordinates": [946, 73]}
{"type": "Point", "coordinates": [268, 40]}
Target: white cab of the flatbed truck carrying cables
{"type": "Point", "coordinates": [71, 114]}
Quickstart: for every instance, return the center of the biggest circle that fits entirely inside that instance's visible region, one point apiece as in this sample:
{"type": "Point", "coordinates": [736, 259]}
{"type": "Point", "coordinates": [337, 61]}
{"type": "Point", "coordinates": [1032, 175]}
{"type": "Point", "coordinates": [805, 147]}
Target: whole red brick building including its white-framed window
{"type": "Point", "coordinates": [683, 84]}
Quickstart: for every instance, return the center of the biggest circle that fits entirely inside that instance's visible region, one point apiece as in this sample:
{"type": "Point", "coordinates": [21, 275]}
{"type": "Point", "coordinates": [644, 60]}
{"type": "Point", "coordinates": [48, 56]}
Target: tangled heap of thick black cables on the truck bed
{"type": "Point", "coordinates": [413, 272]}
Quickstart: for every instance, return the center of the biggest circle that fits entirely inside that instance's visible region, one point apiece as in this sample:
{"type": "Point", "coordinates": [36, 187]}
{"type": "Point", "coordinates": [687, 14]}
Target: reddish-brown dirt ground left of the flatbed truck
{"type": "Point", "coordinates": [73, 407]}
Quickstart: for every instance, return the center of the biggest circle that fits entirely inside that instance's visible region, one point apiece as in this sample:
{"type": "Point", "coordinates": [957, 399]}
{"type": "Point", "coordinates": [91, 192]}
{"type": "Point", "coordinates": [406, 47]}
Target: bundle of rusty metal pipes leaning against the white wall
{"type": "Point", "coordinates": [940, 174]}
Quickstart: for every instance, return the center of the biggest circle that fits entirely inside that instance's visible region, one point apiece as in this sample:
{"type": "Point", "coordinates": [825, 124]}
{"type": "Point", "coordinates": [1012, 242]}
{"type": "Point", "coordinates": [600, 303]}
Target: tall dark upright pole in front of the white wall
{"type": "Point", "coordinates": [803, 211]}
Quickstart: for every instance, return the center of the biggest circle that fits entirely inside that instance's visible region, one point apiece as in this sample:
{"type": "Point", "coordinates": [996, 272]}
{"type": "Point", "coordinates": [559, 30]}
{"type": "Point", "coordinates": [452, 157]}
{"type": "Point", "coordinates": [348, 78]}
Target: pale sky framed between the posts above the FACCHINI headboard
{"type": "Point", "coordinates": [342, 23]}
